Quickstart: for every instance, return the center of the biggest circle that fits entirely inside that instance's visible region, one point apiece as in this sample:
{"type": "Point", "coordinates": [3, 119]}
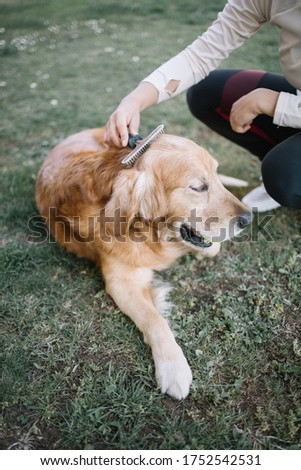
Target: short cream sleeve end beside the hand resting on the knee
{"type": "Point", "coordinates": [288, 110]}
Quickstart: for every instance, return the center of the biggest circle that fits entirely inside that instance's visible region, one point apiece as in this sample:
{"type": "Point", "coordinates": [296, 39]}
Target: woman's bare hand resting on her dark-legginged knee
{"type": "Point", "coordinates": [248, 107]}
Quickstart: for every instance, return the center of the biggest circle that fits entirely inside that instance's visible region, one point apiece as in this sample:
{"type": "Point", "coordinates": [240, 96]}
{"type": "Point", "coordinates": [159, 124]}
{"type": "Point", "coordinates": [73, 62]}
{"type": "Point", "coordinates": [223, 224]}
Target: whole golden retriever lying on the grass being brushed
{"type": "Point", "coordinates": [134, 221]}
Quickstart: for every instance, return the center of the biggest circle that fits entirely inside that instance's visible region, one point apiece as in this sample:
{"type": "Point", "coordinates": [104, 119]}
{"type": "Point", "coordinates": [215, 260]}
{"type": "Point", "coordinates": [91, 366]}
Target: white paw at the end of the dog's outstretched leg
{"type": "Point", "coordinates": [174, 376]}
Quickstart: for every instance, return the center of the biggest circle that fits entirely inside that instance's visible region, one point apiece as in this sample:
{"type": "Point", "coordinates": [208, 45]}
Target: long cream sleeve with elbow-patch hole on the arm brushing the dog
{"type": "Point", "coordinates": [239, 20]}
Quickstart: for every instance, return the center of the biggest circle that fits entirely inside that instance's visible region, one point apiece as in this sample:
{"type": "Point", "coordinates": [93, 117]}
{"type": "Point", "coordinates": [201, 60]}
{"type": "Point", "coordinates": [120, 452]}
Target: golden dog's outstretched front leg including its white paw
{"type": "Point", "coordinates": [131, 290]}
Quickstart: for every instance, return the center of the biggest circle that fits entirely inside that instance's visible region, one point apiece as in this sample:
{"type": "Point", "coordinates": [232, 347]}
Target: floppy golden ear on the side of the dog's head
{"type": "Point", "coordinates": [135, 194]}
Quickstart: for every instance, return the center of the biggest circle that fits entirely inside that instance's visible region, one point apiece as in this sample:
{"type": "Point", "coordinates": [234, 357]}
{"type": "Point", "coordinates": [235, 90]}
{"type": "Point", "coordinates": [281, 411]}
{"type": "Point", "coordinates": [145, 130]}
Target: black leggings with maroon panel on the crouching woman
{"type": "Point", "coordinates": [279, 148]}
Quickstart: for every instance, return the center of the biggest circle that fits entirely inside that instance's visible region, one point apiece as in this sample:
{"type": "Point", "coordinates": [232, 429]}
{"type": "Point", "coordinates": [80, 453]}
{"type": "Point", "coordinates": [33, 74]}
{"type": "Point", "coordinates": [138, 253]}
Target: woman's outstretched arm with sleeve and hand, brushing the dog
{"type": "Point", "coordinates": [239, 20]}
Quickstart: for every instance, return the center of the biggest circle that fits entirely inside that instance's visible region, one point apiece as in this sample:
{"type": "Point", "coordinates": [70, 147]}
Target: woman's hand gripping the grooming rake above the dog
{"type": "Point", "coordinates": [126, 118]}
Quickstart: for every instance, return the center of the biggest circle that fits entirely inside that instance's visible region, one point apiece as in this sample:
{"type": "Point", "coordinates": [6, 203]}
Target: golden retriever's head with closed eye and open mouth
{"type": "Point", "coordinates": [175, 186]}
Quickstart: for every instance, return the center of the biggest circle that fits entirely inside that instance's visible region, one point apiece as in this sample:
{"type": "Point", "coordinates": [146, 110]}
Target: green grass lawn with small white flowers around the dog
{"type": "Point", "coordinates": [76, 373]}
